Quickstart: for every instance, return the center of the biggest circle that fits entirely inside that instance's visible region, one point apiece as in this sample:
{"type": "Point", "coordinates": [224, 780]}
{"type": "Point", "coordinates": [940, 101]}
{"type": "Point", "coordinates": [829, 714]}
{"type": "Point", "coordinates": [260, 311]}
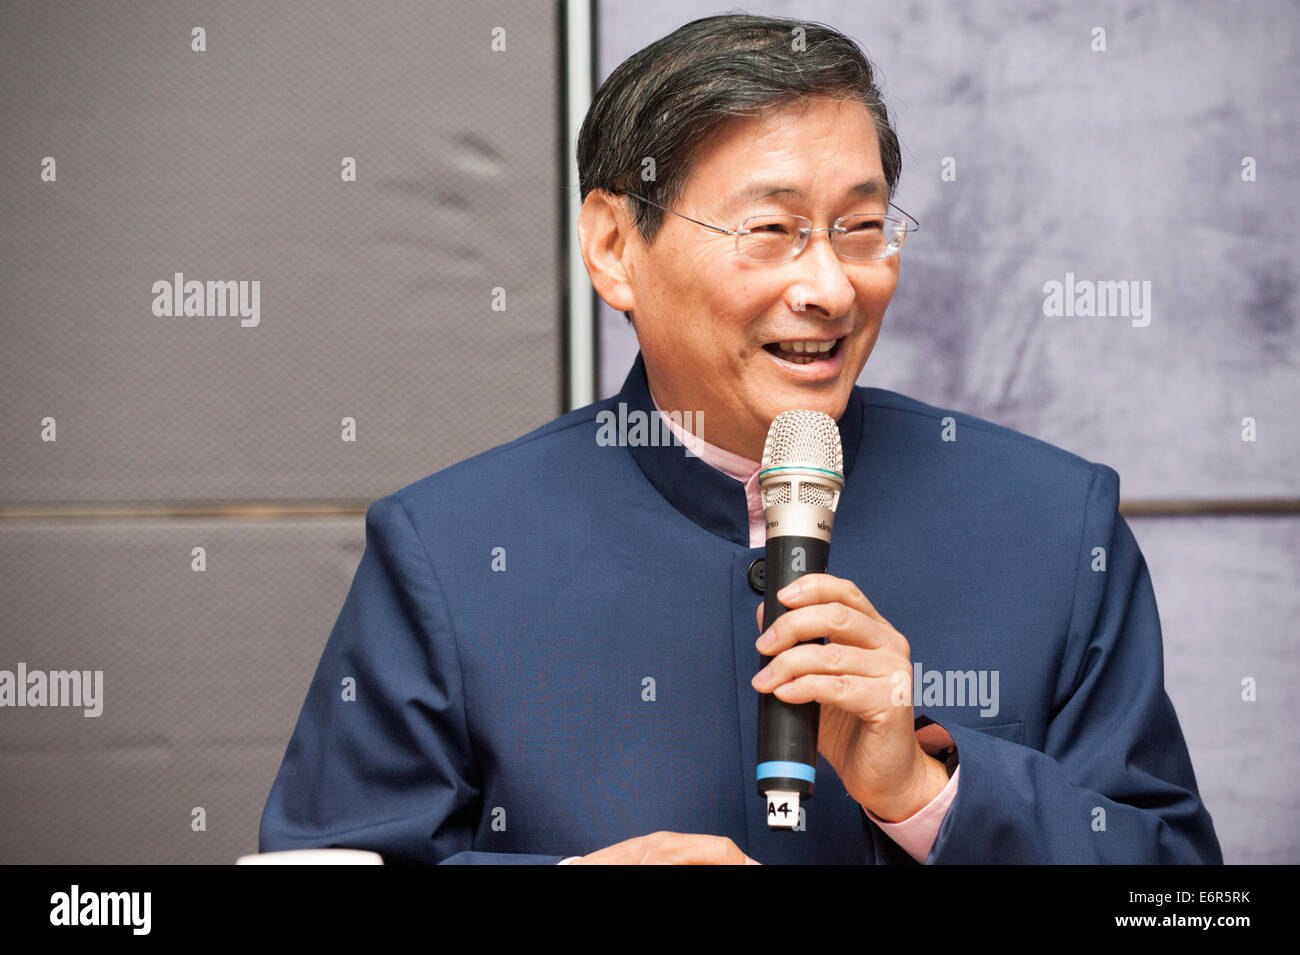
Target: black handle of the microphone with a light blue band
{"type": "Point", "coordinates": [787, 732]}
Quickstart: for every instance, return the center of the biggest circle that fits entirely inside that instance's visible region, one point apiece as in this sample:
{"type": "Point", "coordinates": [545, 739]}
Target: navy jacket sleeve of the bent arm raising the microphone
{"type": "Point", "coordinates": [1115, 782]}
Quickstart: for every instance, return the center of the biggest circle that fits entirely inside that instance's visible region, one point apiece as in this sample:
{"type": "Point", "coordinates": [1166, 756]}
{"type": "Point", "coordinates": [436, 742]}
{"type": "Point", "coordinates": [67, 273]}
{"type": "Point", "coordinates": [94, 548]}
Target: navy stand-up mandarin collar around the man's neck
{"type": "Point", "coordinates": [707, 496]}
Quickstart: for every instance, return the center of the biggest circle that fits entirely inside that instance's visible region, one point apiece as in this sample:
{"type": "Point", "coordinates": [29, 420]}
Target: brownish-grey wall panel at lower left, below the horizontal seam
{"type": "Point", "coordinates": [203, 678]}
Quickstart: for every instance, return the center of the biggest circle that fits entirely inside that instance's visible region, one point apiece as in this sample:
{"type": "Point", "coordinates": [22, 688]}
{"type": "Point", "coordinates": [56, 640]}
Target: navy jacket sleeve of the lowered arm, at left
{"type": "Point", "coordinates": [380, 758]}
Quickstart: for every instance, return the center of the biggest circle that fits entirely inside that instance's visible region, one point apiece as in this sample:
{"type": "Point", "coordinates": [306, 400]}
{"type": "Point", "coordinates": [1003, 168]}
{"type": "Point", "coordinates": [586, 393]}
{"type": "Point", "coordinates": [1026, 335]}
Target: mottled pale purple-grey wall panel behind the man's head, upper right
{"type": "Point", "coordinates": [1116, 166]}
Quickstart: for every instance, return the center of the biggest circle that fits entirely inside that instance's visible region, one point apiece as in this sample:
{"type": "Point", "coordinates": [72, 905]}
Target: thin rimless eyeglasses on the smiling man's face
{"type": "Point", "coordinates": [772, 238]}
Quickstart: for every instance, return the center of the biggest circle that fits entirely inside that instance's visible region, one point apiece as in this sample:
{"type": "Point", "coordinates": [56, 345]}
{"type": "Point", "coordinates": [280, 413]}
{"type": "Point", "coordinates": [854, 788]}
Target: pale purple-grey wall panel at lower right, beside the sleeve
{"type": "Point", "coordinates": [1227, 589]}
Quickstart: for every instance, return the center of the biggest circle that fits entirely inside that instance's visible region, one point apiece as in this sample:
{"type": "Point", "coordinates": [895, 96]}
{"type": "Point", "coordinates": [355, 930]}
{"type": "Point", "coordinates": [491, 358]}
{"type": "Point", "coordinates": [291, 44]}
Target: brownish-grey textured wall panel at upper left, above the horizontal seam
{"type": "Point", "coordinates": [226, 166]}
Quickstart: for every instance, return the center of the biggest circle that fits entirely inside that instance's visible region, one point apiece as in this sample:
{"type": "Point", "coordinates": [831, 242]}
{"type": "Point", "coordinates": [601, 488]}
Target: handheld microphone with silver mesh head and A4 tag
{"type": "Point", "coordinates": [800, 480]}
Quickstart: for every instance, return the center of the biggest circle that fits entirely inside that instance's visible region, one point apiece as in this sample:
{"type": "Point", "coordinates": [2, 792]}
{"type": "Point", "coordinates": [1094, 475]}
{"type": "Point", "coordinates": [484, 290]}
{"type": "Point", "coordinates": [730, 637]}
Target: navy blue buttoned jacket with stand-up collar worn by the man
{"type": "Point", "coordinates": [548, 649]}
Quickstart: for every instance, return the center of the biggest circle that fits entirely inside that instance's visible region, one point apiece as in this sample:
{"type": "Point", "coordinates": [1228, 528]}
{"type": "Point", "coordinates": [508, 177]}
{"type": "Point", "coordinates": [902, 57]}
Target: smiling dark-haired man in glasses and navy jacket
{"type": "Point", "coordinates": [549, 650]}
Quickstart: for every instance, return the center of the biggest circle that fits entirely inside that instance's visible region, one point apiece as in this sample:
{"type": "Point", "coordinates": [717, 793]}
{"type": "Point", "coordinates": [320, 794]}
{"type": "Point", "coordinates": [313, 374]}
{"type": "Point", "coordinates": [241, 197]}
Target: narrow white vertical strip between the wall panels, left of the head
{"type": "Point", "coordinates": [582, 307]}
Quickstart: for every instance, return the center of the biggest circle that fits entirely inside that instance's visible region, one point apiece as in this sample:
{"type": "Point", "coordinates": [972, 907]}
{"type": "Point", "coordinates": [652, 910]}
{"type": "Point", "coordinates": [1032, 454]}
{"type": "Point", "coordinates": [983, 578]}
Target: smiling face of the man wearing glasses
{"type": "Point", "coordinates": [709, 320]}
